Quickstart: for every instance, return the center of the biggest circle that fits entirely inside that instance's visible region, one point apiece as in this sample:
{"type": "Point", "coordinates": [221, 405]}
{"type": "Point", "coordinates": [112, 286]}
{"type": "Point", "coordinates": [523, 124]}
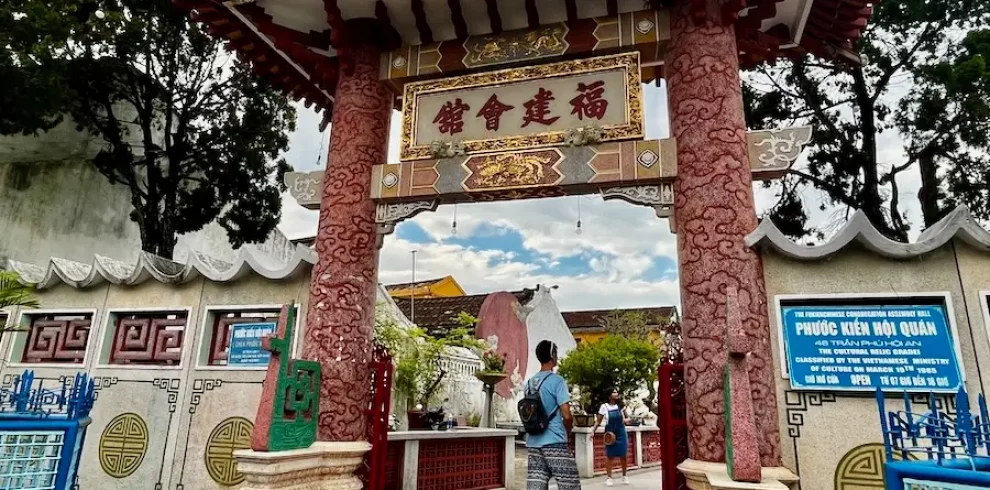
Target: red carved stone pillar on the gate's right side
{"type": "Point", "coordinates": [713, 212]}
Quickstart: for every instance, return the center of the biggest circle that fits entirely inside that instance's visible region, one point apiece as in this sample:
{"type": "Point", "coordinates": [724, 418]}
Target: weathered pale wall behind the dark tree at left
{"type": "Point", "coordinates": [54, 203]}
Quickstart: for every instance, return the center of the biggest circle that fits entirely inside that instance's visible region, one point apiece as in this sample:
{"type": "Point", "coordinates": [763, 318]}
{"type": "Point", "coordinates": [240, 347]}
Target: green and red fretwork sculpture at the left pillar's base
{"type": "Point", "coordinates": [290, 403]}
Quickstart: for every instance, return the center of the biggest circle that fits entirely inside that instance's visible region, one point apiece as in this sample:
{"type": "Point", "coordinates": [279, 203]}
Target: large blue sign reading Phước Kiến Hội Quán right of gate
{"type": "Point", "coordinates": [864, 347]}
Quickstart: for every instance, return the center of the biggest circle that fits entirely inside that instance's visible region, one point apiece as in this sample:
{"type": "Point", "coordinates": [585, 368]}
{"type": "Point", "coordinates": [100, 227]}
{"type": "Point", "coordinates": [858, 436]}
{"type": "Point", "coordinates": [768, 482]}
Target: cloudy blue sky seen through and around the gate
{"type": "Point", "coordinates": [624, 257]}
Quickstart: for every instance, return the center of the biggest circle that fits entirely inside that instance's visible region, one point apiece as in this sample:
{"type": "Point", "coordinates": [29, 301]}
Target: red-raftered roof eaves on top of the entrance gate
{"type": "Point", "coordinates": [294, 44]}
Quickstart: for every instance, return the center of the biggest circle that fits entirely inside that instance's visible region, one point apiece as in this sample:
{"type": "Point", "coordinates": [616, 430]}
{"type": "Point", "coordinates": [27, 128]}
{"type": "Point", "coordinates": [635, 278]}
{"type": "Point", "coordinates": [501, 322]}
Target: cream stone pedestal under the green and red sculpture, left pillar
{"type": "Point", "coordinates": [322, 466]}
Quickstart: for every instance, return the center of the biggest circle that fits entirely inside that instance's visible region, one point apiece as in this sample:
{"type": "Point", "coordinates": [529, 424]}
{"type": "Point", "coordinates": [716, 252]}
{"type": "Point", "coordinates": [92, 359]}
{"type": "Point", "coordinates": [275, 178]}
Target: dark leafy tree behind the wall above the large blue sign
{"type": "Point", "coordinates": [913, 45]}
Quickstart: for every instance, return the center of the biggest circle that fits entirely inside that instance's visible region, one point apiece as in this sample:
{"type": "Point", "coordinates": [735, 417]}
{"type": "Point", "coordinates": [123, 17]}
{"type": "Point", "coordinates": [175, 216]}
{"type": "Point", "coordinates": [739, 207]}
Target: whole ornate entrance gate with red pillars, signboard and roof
{"type": "Point", "coordinates": [472, 132]}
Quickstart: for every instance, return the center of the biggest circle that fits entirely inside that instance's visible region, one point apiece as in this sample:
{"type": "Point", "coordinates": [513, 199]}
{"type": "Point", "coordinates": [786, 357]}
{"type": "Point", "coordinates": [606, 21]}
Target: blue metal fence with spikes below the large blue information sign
{"type": "Point", "coordinates": [936, 450]}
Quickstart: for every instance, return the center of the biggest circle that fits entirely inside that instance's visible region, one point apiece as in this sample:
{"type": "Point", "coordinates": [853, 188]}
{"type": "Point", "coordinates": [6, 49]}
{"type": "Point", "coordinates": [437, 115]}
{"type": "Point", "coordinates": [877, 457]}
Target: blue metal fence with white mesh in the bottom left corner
{"type": "Point", "coordinates": [42, 431]}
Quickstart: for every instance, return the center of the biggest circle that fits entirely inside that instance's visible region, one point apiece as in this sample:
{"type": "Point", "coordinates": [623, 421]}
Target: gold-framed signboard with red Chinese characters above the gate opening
{"type": "Point", "coordinates": [582, 101]}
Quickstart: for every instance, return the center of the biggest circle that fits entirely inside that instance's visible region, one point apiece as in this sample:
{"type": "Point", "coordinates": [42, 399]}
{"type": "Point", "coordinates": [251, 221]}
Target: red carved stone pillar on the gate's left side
{"type": "Point", "coordinates": [342, 295]}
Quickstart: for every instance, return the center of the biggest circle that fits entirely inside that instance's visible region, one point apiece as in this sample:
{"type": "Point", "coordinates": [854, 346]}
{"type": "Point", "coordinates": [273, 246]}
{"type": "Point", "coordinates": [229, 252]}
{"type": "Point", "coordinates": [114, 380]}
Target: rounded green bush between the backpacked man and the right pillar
{"type": "Point", "coordinates": [614, 362]}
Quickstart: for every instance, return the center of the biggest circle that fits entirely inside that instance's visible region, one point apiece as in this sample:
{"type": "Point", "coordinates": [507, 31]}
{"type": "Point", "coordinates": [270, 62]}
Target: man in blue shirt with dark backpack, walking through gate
{"type": "Point", "coordinates": [549, 454]}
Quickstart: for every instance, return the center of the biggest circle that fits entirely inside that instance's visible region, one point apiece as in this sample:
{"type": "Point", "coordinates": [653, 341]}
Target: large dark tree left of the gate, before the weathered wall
{"type": "Point", "coordinates": [192, 134]}
